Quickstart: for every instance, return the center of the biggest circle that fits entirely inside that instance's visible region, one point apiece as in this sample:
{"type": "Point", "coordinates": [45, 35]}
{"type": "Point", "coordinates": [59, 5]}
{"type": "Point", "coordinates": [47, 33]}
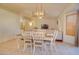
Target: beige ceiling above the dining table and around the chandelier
{"type": "Point", "coordinates": [26, 9]}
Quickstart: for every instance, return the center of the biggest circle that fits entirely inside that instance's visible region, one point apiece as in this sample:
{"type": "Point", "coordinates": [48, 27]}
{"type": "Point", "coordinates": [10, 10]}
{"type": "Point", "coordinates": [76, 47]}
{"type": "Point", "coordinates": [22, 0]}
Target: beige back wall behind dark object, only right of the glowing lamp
{"type": "Point", "coordinates": [52, 23]}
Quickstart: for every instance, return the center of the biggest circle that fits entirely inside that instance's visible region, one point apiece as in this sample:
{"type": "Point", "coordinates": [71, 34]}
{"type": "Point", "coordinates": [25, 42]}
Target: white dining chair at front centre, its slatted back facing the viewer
{"type": "Point", "coordinates": [38, 41]}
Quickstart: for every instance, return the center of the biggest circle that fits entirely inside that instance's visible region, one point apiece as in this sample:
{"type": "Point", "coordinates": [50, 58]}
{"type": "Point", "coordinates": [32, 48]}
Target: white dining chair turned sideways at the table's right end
{"type": "Point", "coordinates": [51, 39]}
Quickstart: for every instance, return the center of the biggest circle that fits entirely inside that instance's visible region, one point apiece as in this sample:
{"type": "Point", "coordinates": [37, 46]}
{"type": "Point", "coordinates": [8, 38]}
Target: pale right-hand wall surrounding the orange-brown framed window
{"type": "Point", "coordinates": [62, 23]}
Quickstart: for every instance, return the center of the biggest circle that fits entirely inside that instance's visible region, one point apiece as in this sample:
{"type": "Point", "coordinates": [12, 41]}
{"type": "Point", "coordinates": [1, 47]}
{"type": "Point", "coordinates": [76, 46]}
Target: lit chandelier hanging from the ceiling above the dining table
{"type": "Point", "coordinates": [39, 12]}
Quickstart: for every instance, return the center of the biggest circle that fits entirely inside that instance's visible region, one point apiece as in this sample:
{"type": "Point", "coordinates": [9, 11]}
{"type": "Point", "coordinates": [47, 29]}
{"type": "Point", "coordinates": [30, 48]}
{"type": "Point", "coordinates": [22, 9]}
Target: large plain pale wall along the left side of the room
{"type": "Point", "coordinates": [9, 24]}
